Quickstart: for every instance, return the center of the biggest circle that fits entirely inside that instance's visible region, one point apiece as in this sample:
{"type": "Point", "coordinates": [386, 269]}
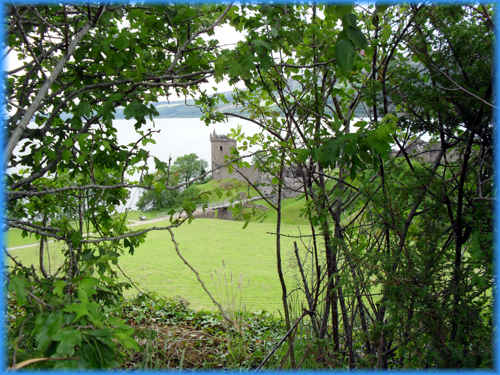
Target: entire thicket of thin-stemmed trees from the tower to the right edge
{"type": "Point", "coordinates": [381, 287]}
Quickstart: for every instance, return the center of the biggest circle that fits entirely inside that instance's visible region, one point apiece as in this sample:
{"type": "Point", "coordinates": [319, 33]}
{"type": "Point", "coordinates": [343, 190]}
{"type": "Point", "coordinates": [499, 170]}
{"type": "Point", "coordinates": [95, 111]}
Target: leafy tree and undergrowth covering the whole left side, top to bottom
{"type": "Point", "coordinates": [79, 63]}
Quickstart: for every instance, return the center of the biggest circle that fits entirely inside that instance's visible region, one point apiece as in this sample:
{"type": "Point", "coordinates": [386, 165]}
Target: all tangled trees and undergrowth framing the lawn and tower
{"type": "Point", "coordinates": [386, 112]}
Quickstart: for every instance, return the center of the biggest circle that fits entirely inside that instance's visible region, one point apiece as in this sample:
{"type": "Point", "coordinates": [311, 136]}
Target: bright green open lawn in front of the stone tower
{"type": "Point", "coordinates": [238, 265]}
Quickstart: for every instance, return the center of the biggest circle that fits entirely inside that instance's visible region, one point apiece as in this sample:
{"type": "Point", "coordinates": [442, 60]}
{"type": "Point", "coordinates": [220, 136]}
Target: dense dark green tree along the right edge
{"type": "Point", "coordinates": [456, 111]}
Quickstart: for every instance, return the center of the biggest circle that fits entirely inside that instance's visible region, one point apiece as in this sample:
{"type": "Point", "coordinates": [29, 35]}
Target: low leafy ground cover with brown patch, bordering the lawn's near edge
{"type": "Point", "coordinates": [166, 327]}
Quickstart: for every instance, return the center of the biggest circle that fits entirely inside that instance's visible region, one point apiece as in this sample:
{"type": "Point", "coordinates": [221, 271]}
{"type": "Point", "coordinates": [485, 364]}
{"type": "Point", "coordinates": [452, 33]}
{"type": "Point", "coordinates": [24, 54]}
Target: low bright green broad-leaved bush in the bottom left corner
{"type": "Point", "coordinates": [65, 322]}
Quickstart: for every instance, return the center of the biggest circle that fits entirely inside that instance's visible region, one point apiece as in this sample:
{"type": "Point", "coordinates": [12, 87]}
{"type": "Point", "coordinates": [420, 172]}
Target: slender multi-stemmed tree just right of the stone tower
{"type": "Point", "coordinates": [289, 62]}
